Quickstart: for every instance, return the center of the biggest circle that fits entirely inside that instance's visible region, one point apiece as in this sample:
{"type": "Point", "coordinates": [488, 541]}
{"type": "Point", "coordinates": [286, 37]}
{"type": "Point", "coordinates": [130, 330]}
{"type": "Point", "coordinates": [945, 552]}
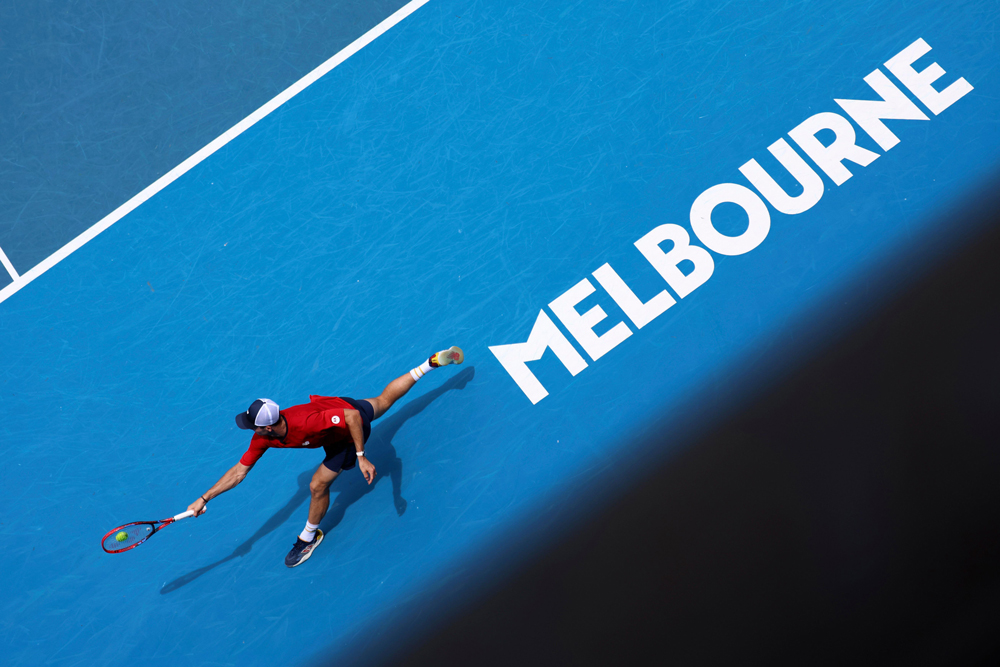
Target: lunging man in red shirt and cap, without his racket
{"type": "Point", "coordinates": [339, 425]}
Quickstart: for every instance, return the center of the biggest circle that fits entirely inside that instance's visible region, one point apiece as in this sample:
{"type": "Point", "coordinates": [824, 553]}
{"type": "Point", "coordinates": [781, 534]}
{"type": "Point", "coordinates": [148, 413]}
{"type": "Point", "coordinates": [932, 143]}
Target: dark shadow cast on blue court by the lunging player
{"type": "Point", "coordinates": [350, 485]}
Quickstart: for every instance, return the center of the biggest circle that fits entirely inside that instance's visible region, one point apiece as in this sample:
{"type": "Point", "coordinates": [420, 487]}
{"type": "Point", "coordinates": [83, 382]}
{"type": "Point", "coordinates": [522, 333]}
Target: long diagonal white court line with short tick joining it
{"type": "Point", "coordinates": [191, 162]}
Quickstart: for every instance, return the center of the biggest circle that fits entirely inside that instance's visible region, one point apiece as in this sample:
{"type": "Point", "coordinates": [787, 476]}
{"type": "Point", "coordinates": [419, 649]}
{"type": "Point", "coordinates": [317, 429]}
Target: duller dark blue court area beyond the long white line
{"type": "Point", "coordinates": [102, 98]}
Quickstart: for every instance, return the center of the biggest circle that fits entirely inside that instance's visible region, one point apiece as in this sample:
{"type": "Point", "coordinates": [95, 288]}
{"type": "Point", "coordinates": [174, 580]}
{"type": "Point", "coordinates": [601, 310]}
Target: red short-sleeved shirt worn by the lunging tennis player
{"type": "Point", "coordinates": [318, 423]}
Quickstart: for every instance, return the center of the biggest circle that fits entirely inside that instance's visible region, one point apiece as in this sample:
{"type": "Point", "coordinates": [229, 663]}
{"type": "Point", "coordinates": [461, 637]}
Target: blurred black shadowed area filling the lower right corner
{"type": "Point", "coordinates": [848, 511]}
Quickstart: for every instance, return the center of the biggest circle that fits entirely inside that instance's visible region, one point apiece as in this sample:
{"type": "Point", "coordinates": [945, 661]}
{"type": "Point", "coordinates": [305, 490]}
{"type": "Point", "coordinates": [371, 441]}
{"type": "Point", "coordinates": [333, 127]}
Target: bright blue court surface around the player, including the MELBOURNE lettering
{"type": "Point", "coordinates": [459, 182]}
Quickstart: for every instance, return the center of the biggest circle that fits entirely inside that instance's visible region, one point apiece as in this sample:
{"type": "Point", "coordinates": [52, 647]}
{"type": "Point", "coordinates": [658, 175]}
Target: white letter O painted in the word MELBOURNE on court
{"type": "Point", "coordinates": [745, 198]}
